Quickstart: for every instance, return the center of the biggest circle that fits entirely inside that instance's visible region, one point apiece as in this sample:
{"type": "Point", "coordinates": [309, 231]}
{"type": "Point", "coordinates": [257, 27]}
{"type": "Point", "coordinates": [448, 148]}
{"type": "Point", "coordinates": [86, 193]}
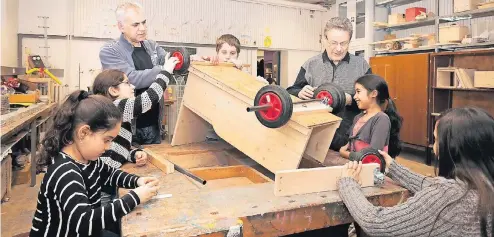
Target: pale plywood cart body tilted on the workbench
{"type": "Point", "coordinates": [219, 95]}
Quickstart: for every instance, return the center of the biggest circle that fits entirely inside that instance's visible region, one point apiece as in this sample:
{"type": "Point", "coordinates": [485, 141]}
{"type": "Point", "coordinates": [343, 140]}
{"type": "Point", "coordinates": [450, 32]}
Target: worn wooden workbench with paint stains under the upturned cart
{"type": "Point", "coordinates": [235, 205]}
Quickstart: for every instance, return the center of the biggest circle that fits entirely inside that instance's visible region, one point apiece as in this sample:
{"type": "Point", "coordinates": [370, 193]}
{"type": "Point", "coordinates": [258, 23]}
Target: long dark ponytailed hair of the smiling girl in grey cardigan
{"type": "Point", "coordinates": [373, 82]}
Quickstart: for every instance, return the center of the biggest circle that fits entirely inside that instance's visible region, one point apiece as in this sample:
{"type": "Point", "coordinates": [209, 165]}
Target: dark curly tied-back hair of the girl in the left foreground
{"type": "Point", "coordinates": [97, 111]}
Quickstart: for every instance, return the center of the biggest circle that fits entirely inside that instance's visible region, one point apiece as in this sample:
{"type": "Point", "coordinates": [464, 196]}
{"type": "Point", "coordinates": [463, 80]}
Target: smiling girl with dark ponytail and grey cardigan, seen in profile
{"type": "Point", "coordinates": [379, 124]}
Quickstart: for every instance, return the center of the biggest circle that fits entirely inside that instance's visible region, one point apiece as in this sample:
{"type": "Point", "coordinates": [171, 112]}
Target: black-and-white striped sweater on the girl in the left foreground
{"type": "Point", "coordinates": [69, 200]}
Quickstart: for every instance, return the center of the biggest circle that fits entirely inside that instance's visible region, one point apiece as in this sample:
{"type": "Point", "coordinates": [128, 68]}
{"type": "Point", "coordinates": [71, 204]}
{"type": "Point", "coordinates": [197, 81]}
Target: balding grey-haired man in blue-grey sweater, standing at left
{"type": "Point", "coordinates": [141, 60]}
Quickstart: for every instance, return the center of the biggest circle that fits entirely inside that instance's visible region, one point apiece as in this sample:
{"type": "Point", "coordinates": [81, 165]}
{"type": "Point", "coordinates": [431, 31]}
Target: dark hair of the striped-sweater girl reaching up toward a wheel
{"type": "Point", "coordinates": [107, 79]}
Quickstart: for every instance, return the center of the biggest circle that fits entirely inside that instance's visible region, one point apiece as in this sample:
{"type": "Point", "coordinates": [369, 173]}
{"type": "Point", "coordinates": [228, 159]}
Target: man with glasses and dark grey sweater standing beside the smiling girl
{"type": "Point", "coordinates": [335, 65]}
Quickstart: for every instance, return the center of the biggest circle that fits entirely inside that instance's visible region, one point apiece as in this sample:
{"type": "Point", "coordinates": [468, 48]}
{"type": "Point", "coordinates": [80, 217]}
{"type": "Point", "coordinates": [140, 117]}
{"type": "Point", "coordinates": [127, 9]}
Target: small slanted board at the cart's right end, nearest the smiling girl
{"type": "Point", "coordinates": [319, 141]}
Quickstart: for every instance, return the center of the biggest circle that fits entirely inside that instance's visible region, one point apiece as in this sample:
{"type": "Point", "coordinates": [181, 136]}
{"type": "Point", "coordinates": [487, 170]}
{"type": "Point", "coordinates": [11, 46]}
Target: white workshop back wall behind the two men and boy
{"type": "Point", "coordinates": [77, 29]}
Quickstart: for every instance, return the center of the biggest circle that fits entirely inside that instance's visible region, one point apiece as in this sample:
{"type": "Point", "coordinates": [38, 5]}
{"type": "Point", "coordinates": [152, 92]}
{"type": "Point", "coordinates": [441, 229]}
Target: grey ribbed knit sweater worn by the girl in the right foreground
{"type": "Point", "coordinates": [438, 207]}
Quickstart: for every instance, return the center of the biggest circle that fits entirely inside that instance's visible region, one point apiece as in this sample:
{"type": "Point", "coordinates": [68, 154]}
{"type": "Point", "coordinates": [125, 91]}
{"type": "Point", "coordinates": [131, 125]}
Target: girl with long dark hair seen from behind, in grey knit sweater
{"type": "Point", "coordinates": [460, 205]}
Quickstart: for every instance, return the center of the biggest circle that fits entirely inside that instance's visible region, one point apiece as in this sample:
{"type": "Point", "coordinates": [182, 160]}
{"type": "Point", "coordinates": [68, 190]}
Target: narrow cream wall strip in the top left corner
{"type": "Point", "coordinates": [9, 32]}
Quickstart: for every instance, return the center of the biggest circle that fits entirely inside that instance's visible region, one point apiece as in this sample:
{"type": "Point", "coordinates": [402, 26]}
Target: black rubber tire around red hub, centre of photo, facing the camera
{"type": "Point", "coordinates": [286, 102]}
